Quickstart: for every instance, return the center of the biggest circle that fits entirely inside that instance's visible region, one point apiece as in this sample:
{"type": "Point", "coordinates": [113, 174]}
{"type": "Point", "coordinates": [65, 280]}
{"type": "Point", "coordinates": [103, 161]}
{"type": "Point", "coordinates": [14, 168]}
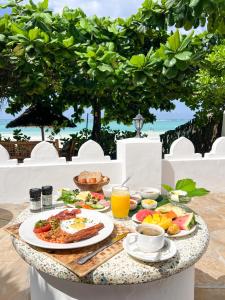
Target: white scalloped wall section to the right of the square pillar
{"type": "Point", "coordinates": [183, 162]}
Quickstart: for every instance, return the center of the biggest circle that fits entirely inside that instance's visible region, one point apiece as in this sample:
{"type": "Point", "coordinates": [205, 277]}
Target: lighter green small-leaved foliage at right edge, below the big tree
{"type": "Point", "coordinates": [209, 86]}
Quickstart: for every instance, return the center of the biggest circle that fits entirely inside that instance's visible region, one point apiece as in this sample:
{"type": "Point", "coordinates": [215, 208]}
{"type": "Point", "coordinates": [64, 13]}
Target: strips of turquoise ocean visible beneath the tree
{"type": "Point", "coordinates": [155, 128]}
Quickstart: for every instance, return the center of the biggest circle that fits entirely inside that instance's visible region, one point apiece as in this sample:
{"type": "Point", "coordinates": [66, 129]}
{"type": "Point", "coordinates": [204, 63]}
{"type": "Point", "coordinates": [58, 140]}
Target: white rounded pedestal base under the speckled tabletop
{"type": "Point", "coordinates": [176, 287]}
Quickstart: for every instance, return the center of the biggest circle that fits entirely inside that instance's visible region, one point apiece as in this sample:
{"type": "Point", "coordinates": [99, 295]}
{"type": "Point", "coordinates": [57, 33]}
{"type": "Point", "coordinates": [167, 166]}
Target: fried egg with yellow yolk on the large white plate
{"type": "Point", "coordinates": [73, 225]}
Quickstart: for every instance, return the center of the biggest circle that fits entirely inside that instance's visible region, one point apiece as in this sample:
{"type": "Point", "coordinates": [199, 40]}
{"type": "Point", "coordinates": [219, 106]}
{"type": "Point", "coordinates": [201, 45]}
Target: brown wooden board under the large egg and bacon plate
{"type": "Point", "coordinates": [68, 257]}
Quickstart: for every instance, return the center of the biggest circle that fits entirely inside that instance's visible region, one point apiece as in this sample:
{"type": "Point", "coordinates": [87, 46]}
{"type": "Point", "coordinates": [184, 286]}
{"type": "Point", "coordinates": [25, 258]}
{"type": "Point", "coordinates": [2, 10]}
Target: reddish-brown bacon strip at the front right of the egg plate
{"type": "Point", "coordinates": [83, 234]}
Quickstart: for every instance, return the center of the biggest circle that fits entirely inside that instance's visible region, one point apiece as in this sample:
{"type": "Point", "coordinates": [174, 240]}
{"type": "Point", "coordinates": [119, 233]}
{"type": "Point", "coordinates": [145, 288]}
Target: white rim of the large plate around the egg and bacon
{"type": "Point", "coordinates": [27, 234]}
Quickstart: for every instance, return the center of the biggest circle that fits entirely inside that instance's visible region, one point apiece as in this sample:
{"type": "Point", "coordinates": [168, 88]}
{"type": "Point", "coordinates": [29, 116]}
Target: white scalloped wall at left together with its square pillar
{"type": "Point", "coordinates": [139, 157]}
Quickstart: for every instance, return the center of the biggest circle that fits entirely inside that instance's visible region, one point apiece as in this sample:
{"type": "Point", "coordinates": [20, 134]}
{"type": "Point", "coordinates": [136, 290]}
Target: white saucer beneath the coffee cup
{"type": "Point", "coordinates": [167, 252]}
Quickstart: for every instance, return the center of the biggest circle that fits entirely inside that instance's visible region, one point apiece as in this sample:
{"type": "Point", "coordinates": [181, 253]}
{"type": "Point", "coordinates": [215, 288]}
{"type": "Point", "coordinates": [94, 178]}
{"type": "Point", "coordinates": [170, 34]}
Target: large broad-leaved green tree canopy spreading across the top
{"type": "Point", "coordinates": [116, 65]}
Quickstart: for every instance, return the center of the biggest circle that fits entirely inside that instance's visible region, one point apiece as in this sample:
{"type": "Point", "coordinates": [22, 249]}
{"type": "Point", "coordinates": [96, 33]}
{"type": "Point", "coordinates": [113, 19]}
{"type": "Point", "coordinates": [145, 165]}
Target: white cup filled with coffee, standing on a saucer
{"type": "Point", "coordinates": [149, 237]}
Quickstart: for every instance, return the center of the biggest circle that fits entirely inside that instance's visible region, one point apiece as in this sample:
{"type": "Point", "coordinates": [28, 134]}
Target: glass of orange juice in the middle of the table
{"type": "Point", "coordinates": [120, 202]}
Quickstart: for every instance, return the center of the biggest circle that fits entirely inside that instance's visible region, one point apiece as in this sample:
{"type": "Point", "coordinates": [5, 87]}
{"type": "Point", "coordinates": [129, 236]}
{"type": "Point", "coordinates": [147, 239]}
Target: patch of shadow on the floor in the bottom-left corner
{"type": "Point", "coordinates": [10, 290]}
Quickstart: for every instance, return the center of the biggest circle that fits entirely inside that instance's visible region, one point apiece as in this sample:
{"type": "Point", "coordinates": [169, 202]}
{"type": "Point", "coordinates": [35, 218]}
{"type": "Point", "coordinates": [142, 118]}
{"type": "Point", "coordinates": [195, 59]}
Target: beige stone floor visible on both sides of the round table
{"type": "Point", "coordinates": [210, 270]}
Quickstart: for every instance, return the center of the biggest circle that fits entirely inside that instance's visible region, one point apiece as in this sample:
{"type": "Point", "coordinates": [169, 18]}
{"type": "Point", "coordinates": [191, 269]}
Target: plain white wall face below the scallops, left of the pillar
{"type": "Point", "coordinates": [15, 181]}
